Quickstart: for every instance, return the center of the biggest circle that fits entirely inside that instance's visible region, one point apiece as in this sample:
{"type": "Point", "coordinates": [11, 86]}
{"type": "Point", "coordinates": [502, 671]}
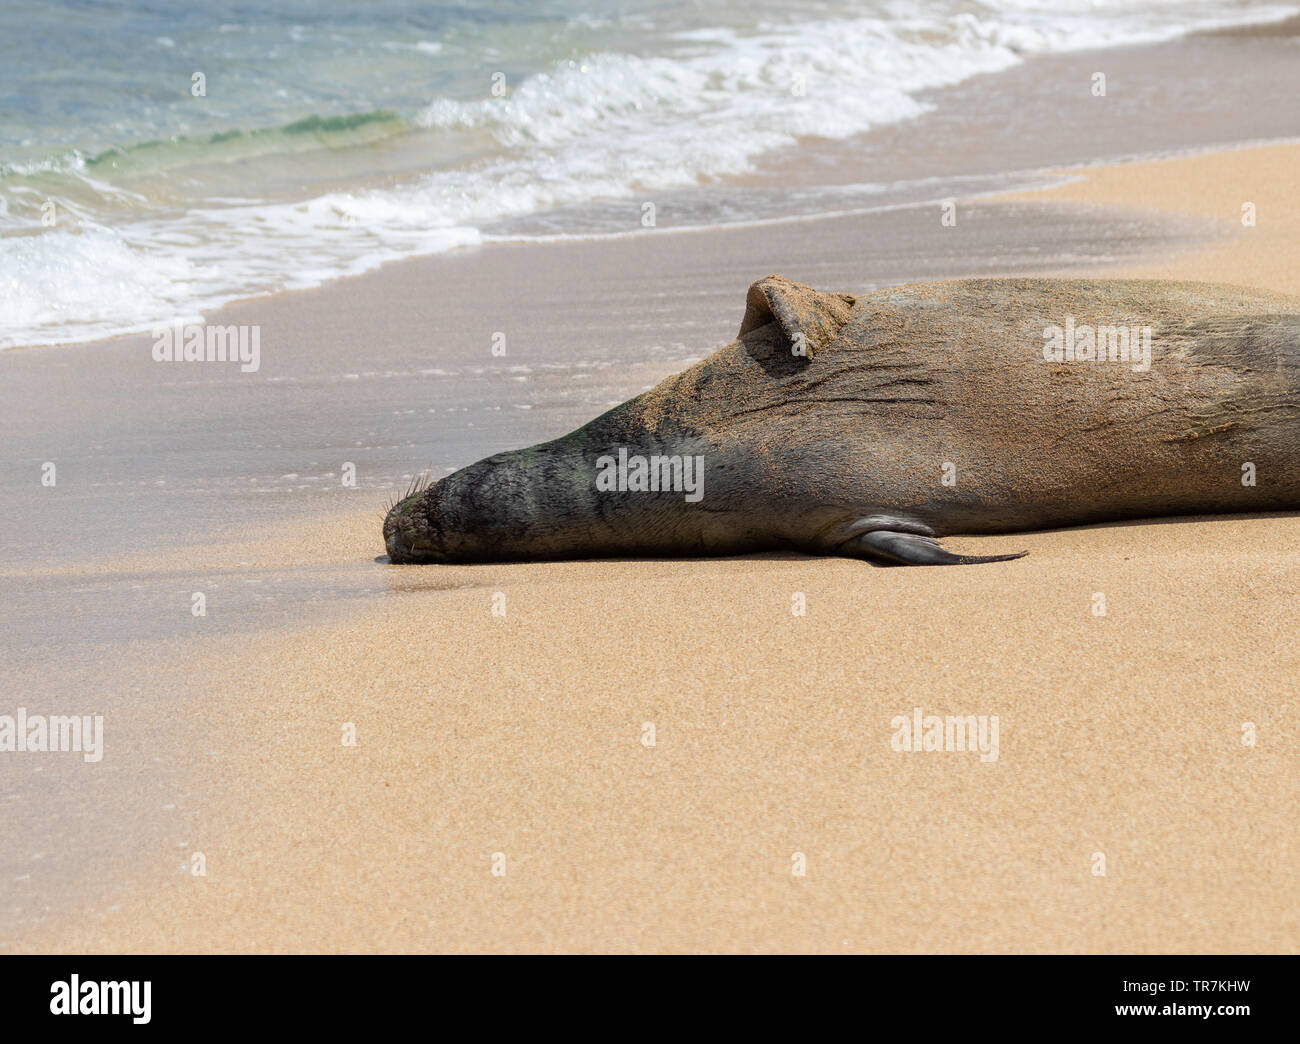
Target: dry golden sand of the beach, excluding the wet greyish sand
{"type": "Point", "coordinates": [523, 735]}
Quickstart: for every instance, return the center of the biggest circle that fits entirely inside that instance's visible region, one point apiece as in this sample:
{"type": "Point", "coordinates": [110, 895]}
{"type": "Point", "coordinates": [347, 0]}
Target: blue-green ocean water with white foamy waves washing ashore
{"type": "Point", "coordinates": [330, 138]}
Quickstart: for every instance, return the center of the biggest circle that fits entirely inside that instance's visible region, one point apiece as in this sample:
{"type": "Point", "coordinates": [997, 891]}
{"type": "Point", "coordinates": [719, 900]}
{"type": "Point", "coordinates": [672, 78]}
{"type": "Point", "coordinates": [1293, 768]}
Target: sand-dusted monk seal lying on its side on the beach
{"type": "Point", "coordinates": [869, 426]}
